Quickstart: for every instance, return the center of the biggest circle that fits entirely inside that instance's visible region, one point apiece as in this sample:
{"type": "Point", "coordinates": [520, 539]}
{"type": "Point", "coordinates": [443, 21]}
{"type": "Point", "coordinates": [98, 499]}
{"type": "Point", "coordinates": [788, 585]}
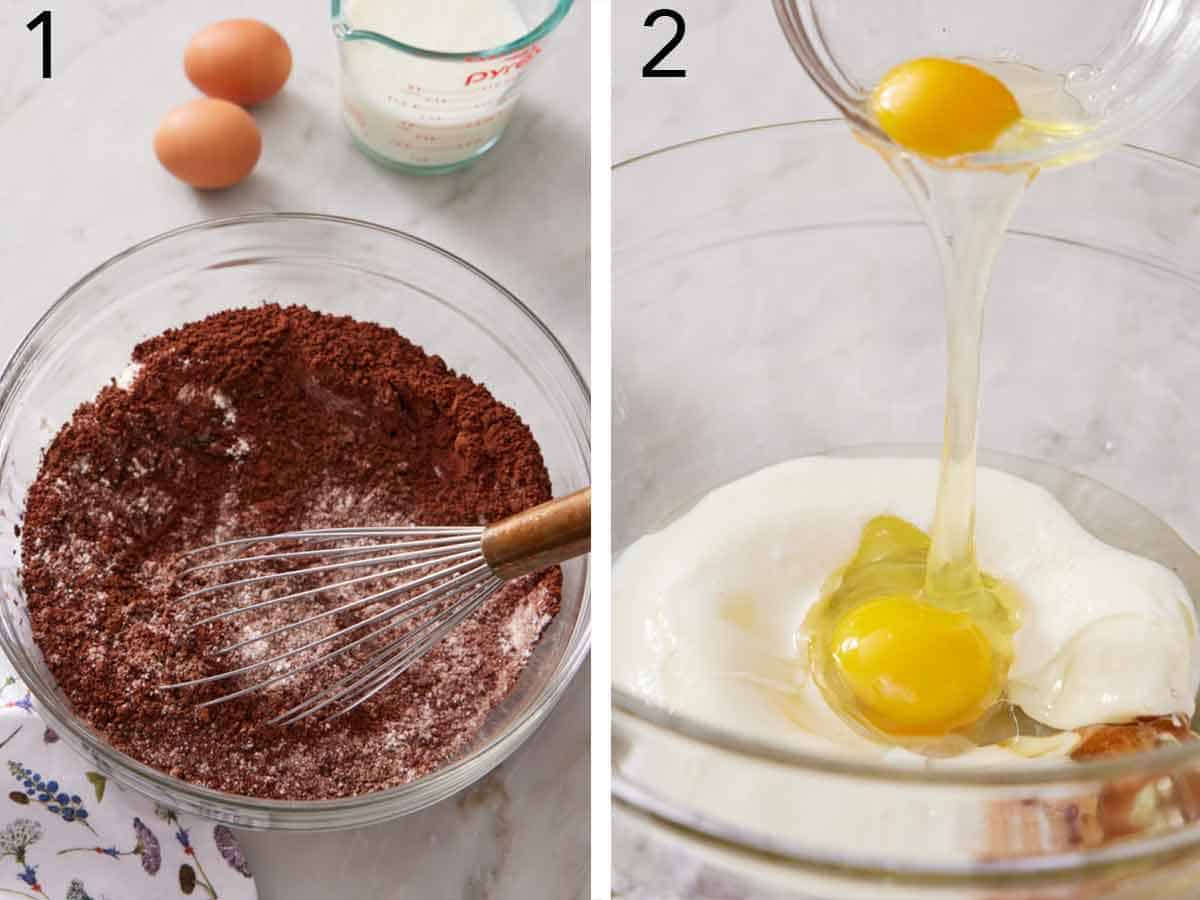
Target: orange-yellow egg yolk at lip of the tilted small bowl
{"type": "Point", "coordinates": [943, 109]}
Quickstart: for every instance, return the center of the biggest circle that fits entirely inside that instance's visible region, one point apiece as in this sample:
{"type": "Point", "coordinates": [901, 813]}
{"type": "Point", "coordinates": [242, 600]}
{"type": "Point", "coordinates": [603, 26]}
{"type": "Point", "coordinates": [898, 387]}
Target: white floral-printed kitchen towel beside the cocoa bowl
{"type": "Point", "coordinates": [68, 833]}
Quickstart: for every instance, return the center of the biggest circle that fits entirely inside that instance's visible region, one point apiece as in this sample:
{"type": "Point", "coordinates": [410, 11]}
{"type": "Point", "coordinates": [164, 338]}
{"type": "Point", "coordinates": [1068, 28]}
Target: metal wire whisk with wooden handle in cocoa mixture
{"type": "Point", "coordinates": [437, 579]}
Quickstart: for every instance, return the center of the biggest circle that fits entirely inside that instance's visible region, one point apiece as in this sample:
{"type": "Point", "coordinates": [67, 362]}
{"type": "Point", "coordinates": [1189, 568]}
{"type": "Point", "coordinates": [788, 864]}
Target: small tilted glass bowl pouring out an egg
{"type": "Point", "coordinates": [1121, 63]}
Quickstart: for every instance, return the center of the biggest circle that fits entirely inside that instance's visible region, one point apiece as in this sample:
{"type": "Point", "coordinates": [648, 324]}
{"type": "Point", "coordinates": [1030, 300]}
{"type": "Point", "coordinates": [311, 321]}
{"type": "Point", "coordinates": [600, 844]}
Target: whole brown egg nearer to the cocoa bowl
{"type": "Point", "coordinates": [208, 143]}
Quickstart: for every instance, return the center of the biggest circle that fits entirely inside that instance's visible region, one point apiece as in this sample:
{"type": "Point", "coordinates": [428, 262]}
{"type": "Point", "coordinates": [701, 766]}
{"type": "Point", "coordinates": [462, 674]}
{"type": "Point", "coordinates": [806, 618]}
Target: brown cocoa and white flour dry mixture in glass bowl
{"type": "Point", "coordinates": [255, 422]}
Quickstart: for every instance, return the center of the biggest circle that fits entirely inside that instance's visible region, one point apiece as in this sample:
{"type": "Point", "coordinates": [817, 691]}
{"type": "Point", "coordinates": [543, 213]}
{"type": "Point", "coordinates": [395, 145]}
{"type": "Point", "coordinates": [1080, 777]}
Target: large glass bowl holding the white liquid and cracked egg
{"type": "Point", "coordinates": [776, 296]}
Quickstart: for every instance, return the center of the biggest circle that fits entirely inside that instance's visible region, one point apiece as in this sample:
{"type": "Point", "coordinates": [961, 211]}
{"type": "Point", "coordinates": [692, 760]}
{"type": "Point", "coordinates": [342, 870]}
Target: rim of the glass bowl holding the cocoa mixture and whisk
{"type": "Point", "coordinates": [289, 815]}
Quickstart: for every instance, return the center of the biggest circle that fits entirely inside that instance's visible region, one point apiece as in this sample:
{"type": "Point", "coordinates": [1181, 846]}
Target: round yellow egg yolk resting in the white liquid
{"type": "Point", "coordinates": [914, 669]}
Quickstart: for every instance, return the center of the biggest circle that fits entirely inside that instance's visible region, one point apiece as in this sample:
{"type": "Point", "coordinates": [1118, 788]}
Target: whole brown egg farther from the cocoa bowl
{"type": "Point", "coordinates": [242, 61]}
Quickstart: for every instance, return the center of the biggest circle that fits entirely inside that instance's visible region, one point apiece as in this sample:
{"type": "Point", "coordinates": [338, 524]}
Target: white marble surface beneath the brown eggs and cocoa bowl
{"type": "Point", "coordinates": [82, 184]}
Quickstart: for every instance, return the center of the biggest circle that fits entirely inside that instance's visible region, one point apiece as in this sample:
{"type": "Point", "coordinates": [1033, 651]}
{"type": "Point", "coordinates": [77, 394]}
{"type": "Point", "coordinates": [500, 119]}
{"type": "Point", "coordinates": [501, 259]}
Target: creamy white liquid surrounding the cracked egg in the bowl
{"type": "Point", "coordinates": [707, 611]}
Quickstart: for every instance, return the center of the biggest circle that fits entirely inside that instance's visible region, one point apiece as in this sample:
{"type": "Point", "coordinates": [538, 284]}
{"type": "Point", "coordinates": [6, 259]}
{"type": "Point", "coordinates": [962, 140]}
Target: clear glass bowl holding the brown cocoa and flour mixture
{"type": "Point", "coordinates": [334, 266]}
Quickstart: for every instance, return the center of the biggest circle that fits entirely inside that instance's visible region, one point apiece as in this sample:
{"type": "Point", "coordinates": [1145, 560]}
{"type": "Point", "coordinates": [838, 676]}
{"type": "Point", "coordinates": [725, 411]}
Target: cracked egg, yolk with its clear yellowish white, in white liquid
{"type": "Point", "coordinates": [905, 658]}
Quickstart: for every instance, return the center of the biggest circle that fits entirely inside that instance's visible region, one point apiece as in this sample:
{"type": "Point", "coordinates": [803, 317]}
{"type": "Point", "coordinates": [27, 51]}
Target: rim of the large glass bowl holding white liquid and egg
{"type": "Point", "coordinates": [1161, 760]}
